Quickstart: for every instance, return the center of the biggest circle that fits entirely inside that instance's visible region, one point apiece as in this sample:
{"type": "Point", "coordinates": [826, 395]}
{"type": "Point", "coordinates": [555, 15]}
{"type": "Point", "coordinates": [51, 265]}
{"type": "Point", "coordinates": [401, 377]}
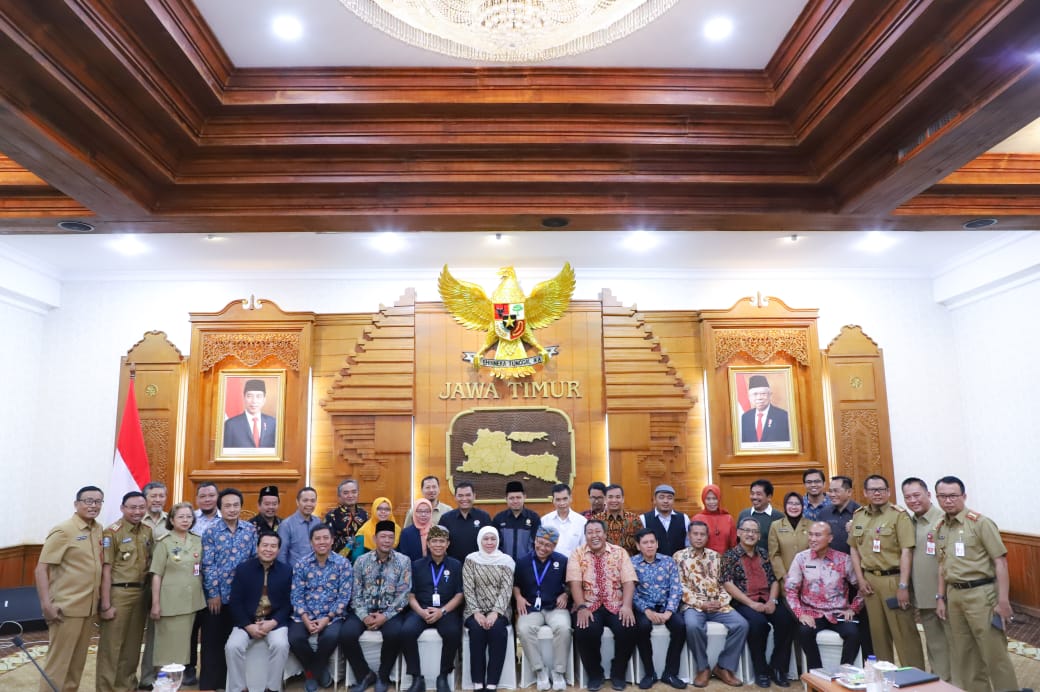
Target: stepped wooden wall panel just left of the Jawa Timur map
{"type": "Point", "coordinates": [371, 404]}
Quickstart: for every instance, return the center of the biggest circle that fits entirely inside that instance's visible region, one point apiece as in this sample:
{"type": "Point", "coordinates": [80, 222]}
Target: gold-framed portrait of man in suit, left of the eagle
{"type": "Point", "coordinates": [250, 412]}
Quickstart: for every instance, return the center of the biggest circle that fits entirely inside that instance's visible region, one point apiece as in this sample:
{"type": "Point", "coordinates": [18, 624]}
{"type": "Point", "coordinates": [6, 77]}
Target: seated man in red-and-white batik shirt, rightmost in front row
{"type": "Point", "coordinates": [818, 594]}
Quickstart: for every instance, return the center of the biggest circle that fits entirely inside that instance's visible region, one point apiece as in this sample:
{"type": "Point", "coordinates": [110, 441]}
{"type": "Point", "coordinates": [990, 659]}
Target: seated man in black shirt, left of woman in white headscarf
{"type": "Point", "coordinates": [435, 602]}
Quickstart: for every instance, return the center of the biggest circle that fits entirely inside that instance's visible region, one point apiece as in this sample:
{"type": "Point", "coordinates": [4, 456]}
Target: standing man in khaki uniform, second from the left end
{"type": "Point", "coordinates": [126, 551]}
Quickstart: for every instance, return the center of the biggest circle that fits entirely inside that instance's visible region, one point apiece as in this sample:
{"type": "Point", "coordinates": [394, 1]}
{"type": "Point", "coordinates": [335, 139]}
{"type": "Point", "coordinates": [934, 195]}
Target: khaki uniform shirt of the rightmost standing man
{"type": "Point", "coordinates": [982, 545]}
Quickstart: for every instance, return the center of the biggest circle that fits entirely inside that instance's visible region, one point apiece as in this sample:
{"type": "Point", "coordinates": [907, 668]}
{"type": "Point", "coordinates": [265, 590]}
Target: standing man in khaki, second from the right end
{"type": "Point", "coordinates": [925, 575]}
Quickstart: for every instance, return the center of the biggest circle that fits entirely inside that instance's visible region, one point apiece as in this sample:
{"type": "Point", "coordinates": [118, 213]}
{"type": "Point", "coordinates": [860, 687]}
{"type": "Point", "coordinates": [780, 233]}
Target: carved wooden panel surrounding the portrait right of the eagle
{"type": "Point", "coordinates": [756, 332]}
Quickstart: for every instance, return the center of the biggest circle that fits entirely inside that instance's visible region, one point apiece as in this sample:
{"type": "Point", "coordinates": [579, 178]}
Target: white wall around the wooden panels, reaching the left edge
{"type": "Point", "coordinates": [98, 322]}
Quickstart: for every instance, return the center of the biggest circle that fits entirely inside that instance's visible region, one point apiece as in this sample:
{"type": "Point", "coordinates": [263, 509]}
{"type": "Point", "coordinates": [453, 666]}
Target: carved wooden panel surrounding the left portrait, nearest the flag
{"type": "Point", "coordinates": [241, 338]}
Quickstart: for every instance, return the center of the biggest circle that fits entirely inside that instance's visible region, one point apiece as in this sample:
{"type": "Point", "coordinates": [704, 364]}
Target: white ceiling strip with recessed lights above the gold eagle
{"type": "Point", "coordinates": [91, 258]}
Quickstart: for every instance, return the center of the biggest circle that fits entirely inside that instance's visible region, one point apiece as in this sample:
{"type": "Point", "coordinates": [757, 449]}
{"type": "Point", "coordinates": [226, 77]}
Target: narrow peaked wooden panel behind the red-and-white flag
{"type": "Point", "coordinates": [161, 370]}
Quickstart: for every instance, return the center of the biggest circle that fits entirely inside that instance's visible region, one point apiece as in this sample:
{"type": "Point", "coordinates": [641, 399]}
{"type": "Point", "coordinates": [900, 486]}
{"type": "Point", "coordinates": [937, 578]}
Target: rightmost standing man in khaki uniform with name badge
{"type": "Point", "coordinates": [974, 584]}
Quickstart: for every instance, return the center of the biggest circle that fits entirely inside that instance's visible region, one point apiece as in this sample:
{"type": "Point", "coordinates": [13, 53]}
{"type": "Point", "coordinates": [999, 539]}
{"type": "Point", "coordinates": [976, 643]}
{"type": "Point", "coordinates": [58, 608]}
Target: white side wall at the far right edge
{"type": "Point", "coordinates": [998, 346]}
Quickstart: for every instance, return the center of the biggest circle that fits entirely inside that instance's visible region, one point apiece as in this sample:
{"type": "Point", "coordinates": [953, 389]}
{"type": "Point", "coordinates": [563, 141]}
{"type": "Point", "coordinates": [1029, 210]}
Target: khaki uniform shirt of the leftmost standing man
{"type": "Point", "coordinates": [73, 551]}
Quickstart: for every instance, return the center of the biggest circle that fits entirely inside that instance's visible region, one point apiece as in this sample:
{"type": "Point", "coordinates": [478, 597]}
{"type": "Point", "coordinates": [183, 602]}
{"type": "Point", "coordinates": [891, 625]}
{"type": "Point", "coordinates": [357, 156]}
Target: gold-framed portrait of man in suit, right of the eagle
{"type": "Point", "coordinates": [765, 409]}
